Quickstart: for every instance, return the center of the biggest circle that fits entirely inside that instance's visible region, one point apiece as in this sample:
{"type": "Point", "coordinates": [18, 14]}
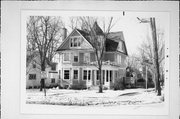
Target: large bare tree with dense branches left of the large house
{"type": "Point", "coordinates": [43, 34]}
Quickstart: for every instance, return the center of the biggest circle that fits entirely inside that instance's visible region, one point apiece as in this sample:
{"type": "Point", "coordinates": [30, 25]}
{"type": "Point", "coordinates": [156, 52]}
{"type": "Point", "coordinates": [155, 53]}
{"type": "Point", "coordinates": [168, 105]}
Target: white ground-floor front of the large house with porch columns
{"type": "Point", "coordinates": [88, 76]}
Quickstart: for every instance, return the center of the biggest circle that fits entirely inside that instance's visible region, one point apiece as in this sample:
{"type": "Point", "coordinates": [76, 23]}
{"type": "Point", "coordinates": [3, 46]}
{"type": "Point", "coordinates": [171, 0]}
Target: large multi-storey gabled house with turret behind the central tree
{"type": "Point", "coordinates": [76, 59]}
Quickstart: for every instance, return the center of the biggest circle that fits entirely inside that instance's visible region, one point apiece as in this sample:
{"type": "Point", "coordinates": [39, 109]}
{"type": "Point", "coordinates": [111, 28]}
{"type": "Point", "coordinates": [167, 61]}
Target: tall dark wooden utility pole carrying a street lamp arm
{"type": "Point", "coordinates": [154, 37]}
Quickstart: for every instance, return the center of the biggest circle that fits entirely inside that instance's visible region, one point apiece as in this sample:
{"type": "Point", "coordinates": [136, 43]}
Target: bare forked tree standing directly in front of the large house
{"type": "Point", "coordinates": [97, 37]}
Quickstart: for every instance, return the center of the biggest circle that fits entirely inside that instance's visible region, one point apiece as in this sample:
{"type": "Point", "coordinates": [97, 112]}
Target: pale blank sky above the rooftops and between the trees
{"type": "Point", "coordinates": [134, 31]}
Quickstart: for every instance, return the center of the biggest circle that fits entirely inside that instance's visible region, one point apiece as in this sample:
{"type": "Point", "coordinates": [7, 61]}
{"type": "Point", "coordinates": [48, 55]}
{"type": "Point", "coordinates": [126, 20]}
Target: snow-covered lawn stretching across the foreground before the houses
{"type": "Point", "coordinates": [92, 97]}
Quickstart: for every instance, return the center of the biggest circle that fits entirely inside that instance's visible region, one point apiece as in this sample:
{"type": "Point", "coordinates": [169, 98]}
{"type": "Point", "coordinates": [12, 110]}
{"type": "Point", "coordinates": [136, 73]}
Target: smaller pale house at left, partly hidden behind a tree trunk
{"type": "Point", "coordinates": [34, 75]}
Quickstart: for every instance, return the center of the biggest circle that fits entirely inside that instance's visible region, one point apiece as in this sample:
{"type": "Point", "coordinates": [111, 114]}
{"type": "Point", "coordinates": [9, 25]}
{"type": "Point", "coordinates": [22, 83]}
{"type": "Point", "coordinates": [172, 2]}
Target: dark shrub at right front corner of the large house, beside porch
{"type": "Point", "coordinates": [118, 84]}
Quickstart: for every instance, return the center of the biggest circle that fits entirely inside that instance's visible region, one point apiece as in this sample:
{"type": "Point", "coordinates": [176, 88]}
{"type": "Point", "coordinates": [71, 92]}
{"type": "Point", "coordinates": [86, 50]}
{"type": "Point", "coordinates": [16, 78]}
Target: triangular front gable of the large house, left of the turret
{"type": "Point", "coordinates": [66, 45]}
